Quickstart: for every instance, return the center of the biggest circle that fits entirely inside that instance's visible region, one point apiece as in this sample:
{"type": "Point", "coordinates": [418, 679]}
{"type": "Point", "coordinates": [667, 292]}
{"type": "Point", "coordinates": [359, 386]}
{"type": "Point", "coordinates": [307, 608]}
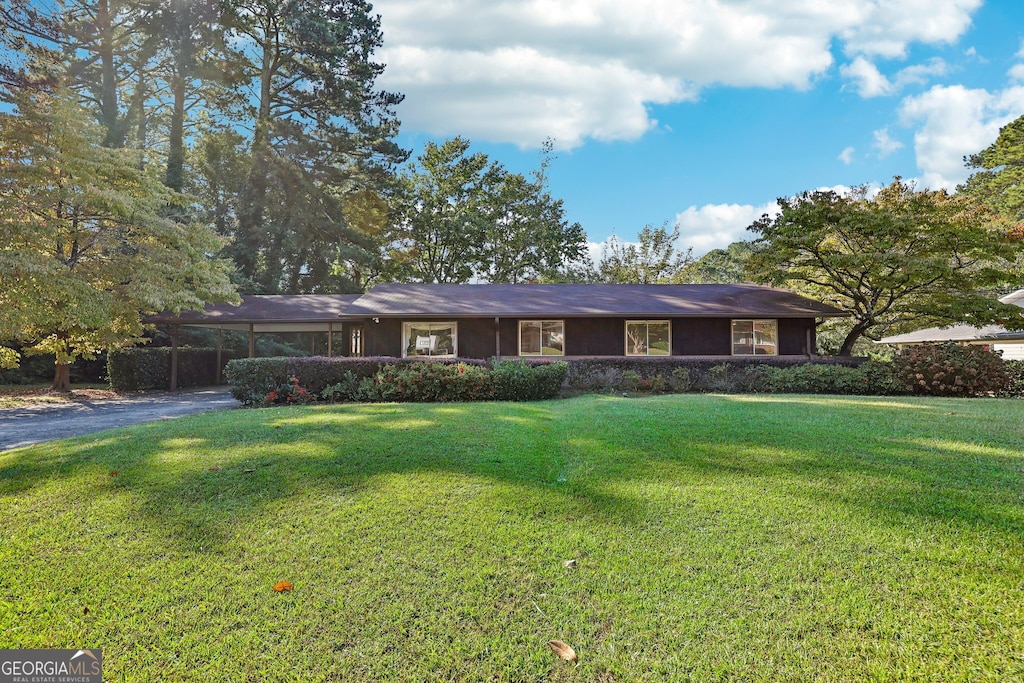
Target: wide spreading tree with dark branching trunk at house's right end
{"type": "Point", "coordinates": [902, 258]}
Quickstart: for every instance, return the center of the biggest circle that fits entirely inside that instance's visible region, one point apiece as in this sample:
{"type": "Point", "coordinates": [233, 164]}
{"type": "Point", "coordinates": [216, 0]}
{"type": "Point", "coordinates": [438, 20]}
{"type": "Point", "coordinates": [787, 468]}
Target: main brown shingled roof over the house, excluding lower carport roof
{"type": "Point", "coordinates": [584, 302]}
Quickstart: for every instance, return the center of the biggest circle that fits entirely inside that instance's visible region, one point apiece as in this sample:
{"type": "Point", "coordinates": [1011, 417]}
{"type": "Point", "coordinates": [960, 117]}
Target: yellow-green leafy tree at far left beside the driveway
{"type": "Point", "coordinates": [87, 247]}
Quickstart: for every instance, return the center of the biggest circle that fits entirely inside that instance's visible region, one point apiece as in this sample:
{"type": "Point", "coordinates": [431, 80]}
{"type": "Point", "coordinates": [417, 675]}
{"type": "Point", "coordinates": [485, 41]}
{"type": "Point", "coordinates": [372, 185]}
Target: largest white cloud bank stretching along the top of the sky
{"type": "Point", "coordinates": [522, 71]}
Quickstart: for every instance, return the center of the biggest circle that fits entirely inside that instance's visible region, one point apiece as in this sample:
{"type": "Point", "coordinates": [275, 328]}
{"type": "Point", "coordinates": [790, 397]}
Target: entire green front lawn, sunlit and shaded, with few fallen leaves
{"type": "Point", "coordinates": [716, 538]}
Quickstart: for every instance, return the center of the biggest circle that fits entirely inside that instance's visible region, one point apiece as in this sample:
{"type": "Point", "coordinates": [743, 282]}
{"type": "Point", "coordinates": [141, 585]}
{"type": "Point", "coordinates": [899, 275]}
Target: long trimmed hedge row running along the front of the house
{"type": "Point", "coordinates": [344, 379]}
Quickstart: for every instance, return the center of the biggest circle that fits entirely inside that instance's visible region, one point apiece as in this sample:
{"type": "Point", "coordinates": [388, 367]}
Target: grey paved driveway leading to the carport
{"type": "Point", "coordinates": [37, 424]}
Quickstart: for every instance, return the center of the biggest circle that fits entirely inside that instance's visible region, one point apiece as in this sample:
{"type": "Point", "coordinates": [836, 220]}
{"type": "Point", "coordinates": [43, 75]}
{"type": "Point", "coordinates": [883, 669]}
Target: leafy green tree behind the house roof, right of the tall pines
{"type": "Point", "coordinates": [462, 217]}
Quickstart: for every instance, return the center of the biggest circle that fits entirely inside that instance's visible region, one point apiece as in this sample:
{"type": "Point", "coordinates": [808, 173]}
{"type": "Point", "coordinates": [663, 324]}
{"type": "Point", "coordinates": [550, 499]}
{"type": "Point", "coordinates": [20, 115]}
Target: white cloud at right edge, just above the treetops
{"type": "Point", "coordinates": [954, 122]}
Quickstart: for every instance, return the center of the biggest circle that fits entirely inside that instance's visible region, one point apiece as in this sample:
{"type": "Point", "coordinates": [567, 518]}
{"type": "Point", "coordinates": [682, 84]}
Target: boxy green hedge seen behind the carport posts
{"type": "Point", "coordinates": [143, 368]}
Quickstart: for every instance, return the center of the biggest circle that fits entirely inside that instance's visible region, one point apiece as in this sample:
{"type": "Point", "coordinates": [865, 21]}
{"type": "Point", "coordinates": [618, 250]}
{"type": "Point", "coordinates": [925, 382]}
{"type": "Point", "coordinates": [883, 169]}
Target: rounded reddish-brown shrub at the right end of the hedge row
{"type": "Point", "coordinates": [952, 370]}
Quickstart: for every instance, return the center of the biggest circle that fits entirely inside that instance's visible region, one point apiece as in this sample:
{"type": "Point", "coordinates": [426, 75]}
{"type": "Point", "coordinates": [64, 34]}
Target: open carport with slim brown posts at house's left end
{"type": "Point", "coordinates": [257, 314]}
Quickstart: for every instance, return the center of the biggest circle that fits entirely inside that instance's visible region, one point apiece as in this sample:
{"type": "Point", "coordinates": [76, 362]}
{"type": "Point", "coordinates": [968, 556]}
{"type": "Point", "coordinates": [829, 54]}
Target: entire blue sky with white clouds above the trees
{"type": "Point", "coordinates": [703, 112]}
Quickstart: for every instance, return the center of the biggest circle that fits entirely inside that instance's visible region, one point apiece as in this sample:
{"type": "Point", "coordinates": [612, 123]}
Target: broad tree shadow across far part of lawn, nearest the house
{"type": "Point", "coordinates": [589, 457]}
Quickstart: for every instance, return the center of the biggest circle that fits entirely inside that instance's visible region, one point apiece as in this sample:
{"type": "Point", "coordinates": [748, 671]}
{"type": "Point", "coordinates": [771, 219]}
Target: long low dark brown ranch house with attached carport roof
{"type": "Point", "coordinates": [488, 321]}
